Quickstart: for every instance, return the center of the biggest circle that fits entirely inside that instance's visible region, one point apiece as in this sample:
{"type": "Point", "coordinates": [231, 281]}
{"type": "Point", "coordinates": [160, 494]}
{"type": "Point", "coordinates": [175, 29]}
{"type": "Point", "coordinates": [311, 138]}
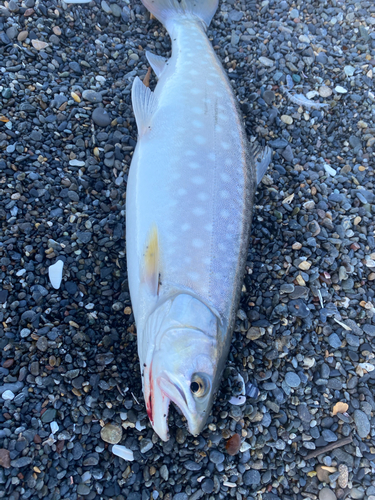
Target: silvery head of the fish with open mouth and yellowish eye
{"type": "Point", "coordinates": [184, 370]}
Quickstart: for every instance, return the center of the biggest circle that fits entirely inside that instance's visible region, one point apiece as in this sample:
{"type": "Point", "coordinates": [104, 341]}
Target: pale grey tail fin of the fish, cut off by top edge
{"type": "Point", "coordinates": [167, 9]}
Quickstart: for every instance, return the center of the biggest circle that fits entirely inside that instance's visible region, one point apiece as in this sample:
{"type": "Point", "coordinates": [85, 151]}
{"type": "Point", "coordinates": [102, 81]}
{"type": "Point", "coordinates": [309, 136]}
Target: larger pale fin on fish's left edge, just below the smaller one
{"type": "Point", "coordinates": [144, 105]}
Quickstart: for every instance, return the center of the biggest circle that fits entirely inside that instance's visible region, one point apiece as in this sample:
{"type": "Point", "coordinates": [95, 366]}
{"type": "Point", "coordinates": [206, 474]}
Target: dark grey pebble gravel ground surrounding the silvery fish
{"type": "Point", "coordinates": [305, 335]}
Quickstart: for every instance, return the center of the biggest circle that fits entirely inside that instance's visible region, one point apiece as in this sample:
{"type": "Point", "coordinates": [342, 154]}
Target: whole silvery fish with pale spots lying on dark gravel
{"type": "Point", "coordinates": [189, 203]}
